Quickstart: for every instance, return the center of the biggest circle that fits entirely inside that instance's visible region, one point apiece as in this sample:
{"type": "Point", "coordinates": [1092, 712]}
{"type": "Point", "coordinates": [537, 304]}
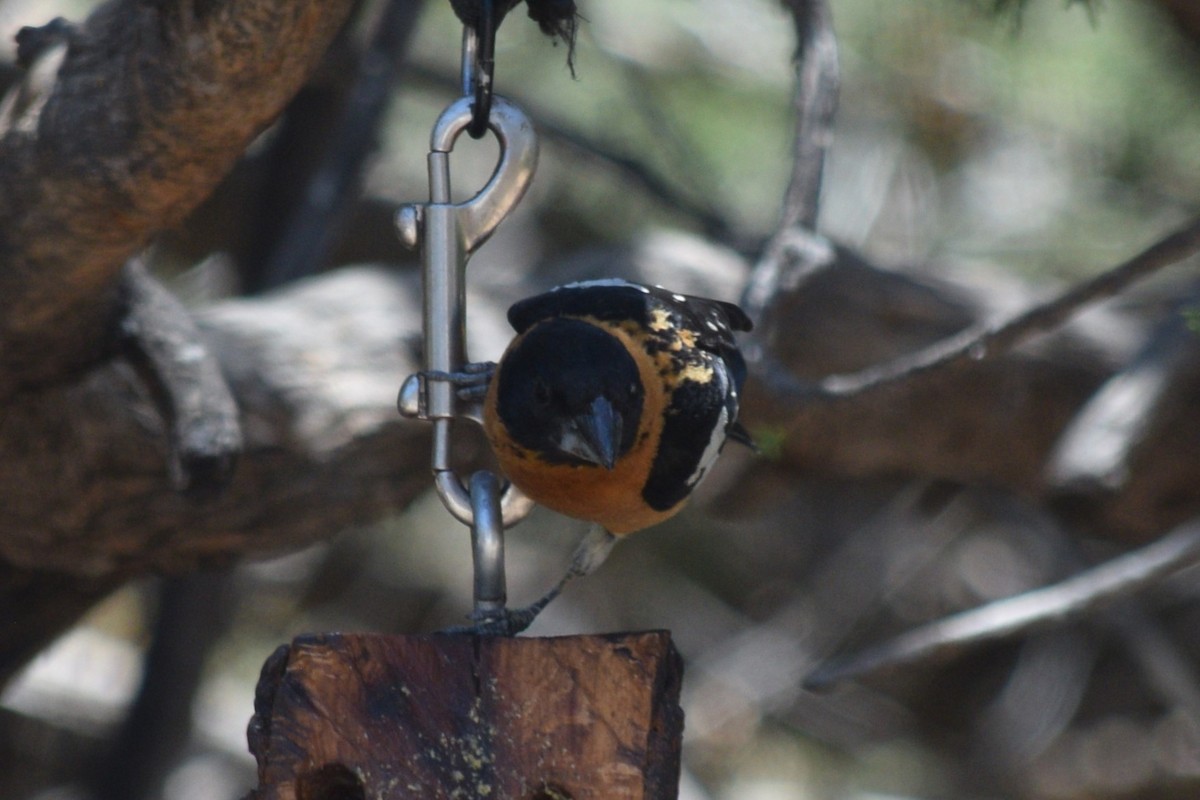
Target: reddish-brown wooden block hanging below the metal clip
{"type": "Point", "coordinates": [449, 717]}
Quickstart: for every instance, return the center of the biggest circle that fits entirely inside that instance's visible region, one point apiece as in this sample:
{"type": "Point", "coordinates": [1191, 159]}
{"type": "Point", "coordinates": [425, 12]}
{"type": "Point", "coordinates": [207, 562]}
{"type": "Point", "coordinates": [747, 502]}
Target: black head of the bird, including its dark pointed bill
{"type": "Point", "coordinates": [573, 393]}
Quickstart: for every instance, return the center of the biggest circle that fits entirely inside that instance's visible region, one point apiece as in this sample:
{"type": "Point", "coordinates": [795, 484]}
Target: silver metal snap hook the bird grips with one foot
{"type": "Point", "coordinates": [448, 234]}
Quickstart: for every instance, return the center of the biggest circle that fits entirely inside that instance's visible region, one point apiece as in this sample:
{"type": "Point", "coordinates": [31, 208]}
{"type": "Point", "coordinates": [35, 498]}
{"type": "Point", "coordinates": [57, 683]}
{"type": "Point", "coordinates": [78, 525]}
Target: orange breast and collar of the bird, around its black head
{"type": "Point", "coordinates": [611, 498]}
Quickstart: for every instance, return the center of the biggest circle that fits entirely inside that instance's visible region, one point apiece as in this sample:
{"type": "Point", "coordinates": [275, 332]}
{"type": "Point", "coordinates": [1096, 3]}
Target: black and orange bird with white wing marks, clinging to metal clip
{"type": "Point", "coordinates": [613, 404]}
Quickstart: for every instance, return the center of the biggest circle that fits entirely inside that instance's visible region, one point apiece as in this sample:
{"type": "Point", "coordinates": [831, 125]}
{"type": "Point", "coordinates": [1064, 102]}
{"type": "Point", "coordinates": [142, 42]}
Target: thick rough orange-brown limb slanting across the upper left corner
{"type": "Point", "coordinates": [137, 118]}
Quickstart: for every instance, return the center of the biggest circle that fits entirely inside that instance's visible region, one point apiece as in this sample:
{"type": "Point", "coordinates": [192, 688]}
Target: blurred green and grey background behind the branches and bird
{"type": "Point", "coordinates": [1010, 149]}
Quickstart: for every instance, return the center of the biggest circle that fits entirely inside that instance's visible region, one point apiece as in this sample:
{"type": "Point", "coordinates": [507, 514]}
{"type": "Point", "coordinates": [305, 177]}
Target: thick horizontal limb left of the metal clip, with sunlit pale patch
{"type": "Point", "coordinates": [89, 498]}
